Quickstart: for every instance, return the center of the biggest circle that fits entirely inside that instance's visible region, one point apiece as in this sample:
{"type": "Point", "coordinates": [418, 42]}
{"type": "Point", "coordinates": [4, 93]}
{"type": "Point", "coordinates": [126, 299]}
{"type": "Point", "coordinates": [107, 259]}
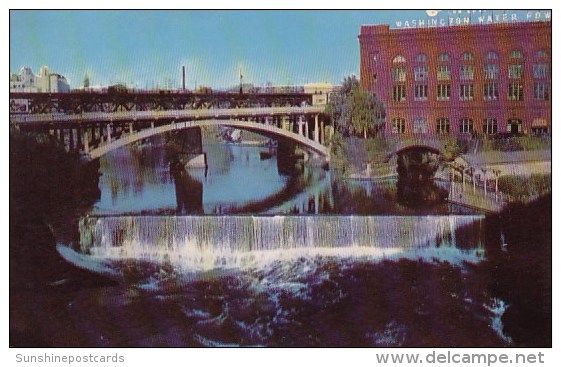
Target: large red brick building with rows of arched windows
{"type": "Point", "coordinates": [489, 79]}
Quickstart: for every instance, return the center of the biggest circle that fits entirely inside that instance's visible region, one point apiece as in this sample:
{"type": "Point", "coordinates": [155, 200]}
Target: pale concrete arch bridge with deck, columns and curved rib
{"type": "Point", "coordinates": [94, 134]}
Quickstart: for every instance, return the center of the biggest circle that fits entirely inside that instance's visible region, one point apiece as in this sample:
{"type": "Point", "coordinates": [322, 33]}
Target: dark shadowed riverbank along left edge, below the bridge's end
{"type": "Point", "coordinates": [48, 187]}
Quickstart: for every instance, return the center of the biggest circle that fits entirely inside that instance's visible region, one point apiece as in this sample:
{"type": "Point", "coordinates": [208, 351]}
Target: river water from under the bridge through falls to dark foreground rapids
{"type": "Point", "coordinates": [240, 255]}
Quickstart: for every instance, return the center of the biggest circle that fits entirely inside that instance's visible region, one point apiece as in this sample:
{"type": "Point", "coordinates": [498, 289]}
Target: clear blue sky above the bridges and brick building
{"type": "Point", "coordinates": [146, 49]}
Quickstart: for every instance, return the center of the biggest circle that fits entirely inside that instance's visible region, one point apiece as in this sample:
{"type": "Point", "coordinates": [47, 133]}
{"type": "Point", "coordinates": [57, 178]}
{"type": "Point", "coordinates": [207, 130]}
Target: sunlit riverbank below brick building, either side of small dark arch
{"type": "Point", "coordinates": [523, 175]}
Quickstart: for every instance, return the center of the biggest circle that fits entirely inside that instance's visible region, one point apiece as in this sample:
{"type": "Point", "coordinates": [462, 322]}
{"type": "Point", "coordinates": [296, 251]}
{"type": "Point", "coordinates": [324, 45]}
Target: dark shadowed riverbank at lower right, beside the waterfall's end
{"type": "Point", "coordinates": [520, 265]}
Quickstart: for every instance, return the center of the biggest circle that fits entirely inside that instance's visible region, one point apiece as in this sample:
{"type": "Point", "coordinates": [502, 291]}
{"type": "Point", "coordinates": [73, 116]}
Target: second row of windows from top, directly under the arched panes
{"type": "Point", "coordinates": [467, 72]}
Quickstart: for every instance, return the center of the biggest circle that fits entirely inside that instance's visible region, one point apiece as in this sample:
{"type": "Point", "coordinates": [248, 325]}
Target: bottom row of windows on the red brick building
{"type": "Point", "coordinates": [465, 126]}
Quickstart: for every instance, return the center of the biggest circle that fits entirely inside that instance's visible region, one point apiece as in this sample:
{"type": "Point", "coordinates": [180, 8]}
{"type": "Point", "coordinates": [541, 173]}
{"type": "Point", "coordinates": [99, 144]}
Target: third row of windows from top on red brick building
{"type": "Point", "coordinates": [466, 92]}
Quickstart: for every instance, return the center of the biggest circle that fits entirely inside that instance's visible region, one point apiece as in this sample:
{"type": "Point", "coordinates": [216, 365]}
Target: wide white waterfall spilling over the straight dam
{"type": "Point", "coordinates": [206, 242]}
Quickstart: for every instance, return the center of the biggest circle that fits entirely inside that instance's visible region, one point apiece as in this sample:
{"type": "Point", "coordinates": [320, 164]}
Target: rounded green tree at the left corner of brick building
{"type": "Point", "coordinates": [354, 110]}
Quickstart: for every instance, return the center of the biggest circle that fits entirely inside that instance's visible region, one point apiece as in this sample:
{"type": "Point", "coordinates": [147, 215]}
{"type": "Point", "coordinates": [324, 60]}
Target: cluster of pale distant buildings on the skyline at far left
{"type": "Point", "coordinates": [45, 82]}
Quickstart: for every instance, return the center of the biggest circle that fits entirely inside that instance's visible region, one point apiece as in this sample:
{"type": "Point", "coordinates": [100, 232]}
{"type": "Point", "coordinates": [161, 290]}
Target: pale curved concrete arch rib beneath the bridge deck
{"type": "Point", "coordinates": [265, 129]}
